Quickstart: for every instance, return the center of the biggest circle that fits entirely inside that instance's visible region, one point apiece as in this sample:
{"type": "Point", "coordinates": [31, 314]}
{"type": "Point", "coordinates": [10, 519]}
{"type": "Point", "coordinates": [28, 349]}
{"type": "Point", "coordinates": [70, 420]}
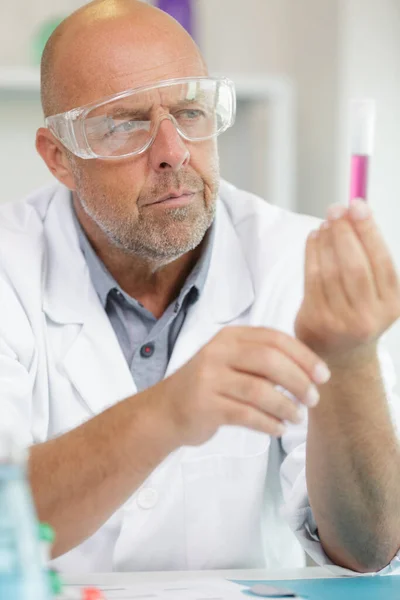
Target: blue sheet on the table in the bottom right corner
{"type": "Point", "coordinates": [385, 587]}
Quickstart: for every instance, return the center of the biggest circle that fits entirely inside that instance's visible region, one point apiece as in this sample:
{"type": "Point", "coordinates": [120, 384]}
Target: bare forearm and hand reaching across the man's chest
{"type": "Point", "coordinates": [82, 477]}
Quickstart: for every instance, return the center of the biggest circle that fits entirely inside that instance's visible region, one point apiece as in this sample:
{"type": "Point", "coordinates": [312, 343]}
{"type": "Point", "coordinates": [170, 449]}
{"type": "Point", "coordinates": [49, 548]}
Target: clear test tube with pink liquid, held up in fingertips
{"type": "Point", "coordinates": [362, 141]}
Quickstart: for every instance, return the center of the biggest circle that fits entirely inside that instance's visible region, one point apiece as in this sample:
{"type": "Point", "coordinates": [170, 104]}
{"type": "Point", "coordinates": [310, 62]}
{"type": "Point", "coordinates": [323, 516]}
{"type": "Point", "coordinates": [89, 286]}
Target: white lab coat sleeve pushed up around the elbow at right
{"type": "Point", "coordinates": [297, 509]}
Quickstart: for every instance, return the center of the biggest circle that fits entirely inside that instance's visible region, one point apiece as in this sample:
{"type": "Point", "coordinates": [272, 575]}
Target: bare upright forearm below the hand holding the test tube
{"type": "Point", "coordinates": [353, 469]}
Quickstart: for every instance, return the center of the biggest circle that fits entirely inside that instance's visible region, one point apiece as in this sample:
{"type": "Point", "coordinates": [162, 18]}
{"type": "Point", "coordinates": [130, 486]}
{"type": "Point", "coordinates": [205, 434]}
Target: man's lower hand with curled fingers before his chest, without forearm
{"type": "Point", "coordinates": [233, 381]}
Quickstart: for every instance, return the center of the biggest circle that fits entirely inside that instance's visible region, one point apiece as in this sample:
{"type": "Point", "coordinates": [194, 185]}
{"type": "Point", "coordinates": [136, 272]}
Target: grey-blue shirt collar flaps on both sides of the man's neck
{"type": "Point", "coordinates": [104, 282]}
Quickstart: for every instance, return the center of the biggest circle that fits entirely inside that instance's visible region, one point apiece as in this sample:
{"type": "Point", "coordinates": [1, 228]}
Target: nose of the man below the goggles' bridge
{"type": "Point", "coordinates": [168, 151]}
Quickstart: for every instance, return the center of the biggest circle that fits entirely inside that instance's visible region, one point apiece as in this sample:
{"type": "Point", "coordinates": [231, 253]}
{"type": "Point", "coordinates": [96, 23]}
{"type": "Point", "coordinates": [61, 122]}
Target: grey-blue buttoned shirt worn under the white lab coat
{"type": "Point", "coordinates": [147, 342]}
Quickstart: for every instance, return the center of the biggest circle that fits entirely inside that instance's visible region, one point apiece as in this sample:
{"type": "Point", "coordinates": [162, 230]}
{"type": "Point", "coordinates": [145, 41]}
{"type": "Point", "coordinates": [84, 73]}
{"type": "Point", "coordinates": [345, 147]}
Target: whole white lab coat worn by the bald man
{"type": "Point", "coordinates": [219, 505]}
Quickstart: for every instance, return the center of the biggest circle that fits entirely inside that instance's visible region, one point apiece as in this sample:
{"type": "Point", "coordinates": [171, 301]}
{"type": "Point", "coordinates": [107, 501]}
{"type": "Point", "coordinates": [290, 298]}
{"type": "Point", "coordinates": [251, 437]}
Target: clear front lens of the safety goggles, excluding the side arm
{"type": "Point", "coordinates": [200, 109]}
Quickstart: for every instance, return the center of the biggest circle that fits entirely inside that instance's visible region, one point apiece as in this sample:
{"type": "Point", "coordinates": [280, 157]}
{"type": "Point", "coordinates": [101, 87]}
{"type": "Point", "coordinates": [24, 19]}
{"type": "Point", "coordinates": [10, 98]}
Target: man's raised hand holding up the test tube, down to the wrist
{"type": "Point", "coordinates": [352, 290]}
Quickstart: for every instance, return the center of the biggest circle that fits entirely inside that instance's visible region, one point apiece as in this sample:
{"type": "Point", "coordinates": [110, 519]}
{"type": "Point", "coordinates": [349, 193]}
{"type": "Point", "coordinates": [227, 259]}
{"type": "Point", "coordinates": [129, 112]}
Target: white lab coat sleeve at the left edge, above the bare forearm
{"type": "Point", "coordinates": [16, 376]}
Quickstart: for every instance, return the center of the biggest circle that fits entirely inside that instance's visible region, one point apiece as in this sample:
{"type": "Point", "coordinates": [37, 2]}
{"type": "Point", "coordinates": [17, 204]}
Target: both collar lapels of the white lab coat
{"type": "Point", "coordinates": [94, 361]}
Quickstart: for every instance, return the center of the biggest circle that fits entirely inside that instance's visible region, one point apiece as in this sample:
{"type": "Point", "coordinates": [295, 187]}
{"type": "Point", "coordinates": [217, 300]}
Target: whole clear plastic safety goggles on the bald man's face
{"type": "Point", "coordinates": [126, 123]}
